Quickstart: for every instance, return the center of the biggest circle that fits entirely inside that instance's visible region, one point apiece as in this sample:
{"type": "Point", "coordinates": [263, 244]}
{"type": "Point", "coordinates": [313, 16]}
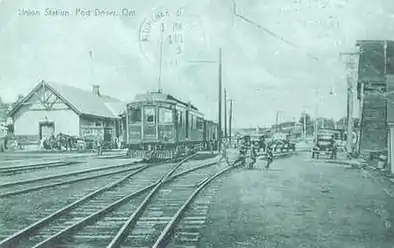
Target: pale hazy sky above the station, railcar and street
{"type": "Point", "coordinates": [262, 73]}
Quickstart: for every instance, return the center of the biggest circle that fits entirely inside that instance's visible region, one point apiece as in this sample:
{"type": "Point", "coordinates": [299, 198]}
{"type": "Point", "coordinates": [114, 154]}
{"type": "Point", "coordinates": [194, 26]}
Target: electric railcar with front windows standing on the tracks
{"type": "Point", "coordinates": [162, 126]}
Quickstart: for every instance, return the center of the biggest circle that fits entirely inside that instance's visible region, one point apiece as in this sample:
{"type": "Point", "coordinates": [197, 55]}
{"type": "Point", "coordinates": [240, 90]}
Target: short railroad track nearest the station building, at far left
{"type": "Point", "coordinates": [29, 167]}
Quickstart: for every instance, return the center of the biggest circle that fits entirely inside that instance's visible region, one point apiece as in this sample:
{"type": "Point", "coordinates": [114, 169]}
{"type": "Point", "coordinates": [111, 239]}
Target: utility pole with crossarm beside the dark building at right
{"type": "Point", "coordinates": [350, 64]}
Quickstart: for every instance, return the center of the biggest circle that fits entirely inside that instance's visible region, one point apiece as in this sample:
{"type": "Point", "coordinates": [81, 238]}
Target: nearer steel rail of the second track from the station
{"type": "Point", "coordinates": [49, 185]}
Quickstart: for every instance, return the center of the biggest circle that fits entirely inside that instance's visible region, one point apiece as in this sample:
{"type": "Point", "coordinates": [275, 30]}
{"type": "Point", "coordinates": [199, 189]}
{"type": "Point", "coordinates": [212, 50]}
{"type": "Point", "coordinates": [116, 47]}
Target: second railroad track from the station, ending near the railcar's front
{"type": "Point", "coordinates": [29, 185]}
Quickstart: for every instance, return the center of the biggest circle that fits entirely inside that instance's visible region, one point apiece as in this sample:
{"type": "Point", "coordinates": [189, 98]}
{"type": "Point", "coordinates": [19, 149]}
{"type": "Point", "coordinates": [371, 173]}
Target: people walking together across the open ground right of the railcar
{"type": "Point", "coordinates": [250, 150]}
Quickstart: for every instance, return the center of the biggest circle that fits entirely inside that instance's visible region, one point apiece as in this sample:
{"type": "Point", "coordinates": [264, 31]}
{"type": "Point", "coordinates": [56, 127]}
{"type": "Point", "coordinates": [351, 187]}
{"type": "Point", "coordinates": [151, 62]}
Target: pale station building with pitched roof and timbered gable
{"type": "Point", "coordinates": [53, 108]}
